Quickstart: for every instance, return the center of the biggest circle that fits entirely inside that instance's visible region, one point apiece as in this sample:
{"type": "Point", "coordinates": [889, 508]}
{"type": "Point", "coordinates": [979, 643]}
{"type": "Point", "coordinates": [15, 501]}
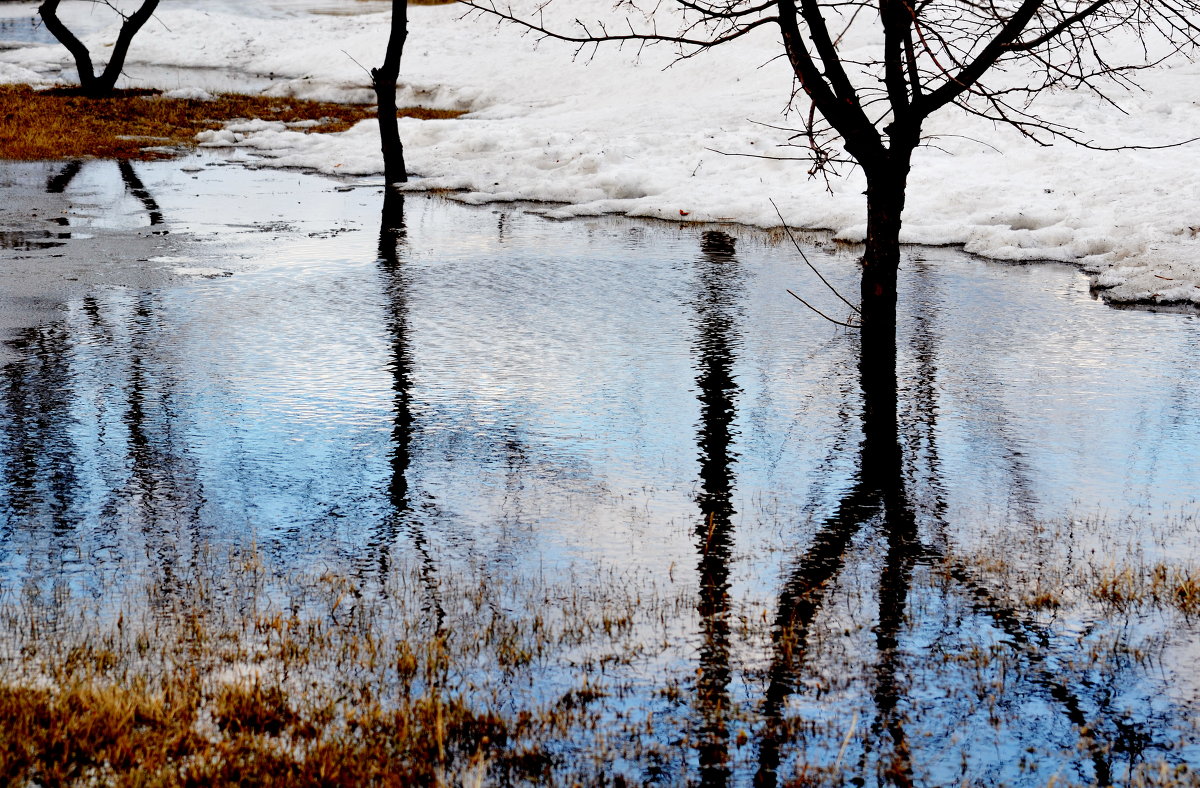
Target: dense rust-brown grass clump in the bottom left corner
{"type": "Point", "coordinates": [101, 733]}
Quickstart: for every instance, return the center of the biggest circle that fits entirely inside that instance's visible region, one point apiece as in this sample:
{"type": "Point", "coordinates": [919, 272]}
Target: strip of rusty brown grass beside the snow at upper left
{"type": "Point", "coordinates": [58, 125]}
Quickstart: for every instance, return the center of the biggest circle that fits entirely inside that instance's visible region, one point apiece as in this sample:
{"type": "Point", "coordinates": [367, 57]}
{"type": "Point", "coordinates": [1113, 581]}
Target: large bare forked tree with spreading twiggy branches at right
{"type": "Point", "coordinates": [928, 56]}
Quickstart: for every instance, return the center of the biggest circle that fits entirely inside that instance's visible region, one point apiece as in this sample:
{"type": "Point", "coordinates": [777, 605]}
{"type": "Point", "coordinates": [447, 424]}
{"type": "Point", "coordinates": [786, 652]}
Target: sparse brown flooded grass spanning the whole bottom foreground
{"type": "Point", "coordinates": [231, 670]}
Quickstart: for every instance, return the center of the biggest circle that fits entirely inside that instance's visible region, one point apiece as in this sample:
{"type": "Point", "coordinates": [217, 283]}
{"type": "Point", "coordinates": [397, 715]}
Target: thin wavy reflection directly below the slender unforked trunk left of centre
{"type": "Point", "coordinates": [393, 237]}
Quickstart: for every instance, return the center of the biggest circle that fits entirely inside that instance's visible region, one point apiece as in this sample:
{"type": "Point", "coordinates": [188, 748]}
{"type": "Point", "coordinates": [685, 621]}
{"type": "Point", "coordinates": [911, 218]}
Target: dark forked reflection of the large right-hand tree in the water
{"type": "Point", "coordinates": [881, 498]}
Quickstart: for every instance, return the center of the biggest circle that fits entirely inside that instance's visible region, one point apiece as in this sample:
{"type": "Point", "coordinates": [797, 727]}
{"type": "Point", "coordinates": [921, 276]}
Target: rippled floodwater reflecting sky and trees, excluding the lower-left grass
{"type": "Point", "coordinates": [489, 388]}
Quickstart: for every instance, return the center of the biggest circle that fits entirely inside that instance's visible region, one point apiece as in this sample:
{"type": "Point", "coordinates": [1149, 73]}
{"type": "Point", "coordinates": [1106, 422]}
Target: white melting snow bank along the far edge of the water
{"type": "Point", "coordinates": [616, 136]}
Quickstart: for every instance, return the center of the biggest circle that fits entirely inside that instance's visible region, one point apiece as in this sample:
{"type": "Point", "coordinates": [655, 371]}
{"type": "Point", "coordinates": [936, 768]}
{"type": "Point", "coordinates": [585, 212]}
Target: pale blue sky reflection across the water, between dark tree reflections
{"type": "Point", "coordinates": [554, 394]}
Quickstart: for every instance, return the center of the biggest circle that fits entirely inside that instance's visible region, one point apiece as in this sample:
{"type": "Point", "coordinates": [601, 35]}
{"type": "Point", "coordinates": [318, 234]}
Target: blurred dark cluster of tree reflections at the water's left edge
{"type": "Point", "coordinates": [58, 396]}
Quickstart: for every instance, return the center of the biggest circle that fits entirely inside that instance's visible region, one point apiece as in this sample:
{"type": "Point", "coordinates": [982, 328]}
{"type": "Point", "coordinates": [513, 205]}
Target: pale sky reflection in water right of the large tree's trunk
{"type": "Point", "coordinates": [1064, 405]}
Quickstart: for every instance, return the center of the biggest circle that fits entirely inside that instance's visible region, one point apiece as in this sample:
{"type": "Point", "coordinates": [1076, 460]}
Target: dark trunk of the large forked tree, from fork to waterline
{"type": "Point", "coordinates": [886, 187]}
